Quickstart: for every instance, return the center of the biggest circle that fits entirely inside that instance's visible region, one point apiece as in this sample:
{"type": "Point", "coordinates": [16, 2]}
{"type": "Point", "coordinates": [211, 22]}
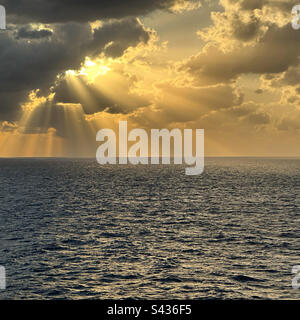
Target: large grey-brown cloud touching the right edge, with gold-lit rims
{"type": "Point", "coordinates": [274, 53]}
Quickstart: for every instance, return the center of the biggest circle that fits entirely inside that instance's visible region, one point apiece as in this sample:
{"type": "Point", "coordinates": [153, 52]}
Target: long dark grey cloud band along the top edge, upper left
{"type": "Point", "coordinates": [53, 11]}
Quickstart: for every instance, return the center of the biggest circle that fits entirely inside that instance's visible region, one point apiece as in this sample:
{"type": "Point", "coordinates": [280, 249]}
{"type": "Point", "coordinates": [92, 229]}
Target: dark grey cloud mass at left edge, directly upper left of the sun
{"type": "Point", "coordinates": [27, 66]}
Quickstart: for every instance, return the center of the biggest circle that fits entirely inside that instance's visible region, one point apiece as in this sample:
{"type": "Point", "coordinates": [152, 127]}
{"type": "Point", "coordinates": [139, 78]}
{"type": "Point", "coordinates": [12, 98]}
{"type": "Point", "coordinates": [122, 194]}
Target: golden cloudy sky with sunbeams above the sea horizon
{"type": "Point", "coordinates": [70, 68]}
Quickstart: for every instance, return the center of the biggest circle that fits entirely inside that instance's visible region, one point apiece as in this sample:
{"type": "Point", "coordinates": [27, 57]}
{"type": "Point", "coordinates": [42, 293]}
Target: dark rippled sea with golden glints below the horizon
{"type": "Point", "coordinates": [75, 229]}
